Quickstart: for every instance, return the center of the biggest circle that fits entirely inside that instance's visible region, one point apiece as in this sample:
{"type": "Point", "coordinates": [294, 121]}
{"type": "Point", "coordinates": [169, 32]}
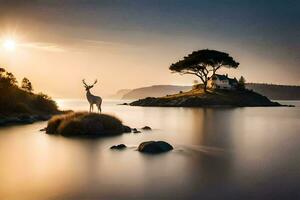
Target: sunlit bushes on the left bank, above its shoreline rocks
{"type": "Point", "coordinates": [15, 100]}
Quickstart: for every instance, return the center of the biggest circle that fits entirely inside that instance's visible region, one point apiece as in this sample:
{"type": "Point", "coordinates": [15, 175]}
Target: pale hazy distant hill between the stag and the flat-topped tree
{"type": "Point", "coordinates": [155, 91]}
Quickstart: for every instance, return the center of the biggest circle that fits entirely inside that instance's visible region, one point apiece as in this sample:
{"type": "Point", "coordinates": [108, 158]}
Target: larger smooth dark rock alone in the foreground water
{"type": "Point", "coordinates": [154, 147]}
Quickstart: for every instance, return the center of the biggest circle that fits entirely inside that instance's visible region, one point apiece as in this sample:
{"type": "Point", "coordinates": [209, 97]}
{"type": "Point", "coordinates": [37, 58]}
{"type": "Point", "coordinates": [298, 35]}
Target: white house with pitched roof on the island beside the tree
{"type": "Point", "coordinates": [218, 81]}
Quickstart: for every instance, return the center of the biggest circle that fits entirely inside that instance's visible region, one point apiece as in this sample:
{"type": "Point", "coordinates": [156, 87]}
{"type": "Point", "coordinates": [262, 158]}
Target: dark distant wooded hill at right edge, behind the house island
{"type": "Point", "coordinates": [278, 92]}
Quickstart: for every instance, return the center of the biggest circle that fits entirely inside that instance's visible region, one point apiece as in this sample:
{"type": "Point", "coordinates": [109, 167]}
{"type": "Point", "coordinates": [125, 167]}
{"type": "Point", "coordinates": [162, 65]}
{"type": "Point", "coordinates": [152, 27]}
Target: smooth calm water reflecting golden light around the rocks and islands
{"type": "Point", "coordinates": [223, 153]}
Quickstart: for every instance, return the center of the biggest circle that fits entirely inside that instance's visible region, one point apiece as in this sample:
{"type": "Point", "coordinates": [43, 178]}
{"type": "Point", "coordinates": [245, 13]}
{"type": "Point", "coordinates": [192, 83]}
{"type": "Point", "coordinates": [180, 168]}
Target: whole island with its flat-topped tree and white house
{"type": "Point", "coordinates": [214, 90]}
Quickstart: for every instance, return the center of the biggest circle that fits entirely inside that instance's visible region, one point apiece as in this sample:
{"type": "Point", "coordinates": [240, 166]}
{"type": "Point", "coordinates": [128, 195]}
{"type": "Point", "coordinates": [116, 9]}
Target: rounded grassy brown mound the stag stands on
{"type": "Point", "coordinates": [84, 124]}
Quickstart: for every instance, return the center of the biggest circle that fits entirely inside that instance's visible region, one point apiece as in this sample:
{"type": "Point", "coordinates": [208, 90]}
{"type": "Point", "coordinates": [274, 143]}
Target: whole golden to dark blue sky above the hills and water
{"type": "Point", "coordinates": [131, 43]}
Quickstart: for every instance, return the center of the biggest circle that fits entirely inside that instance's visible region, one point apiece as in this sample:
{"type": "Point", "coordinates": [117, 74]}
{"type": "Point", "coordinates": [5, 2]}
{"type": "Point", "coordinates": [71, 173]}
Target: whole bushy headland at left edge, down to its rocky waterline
{"type": "Point", "coordinates": [19, 104]}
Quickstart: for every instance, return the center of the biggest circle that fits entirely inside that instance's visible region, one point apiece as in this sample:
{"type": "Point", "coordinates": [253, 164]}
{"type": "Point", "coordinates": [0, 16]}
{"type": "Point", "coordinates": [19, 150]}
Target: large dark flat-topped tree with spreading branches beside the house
{"type": "Point", "coordinates": [203, 64]}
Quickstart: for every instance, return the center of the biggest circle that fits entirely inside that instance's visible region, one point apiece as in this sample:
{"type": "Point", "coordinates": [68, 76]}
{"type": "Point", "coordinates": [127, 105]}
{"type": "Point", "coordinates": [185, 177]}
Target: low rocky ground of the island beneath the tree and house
{"type": "Point", "coordinates": [211, 98]}
